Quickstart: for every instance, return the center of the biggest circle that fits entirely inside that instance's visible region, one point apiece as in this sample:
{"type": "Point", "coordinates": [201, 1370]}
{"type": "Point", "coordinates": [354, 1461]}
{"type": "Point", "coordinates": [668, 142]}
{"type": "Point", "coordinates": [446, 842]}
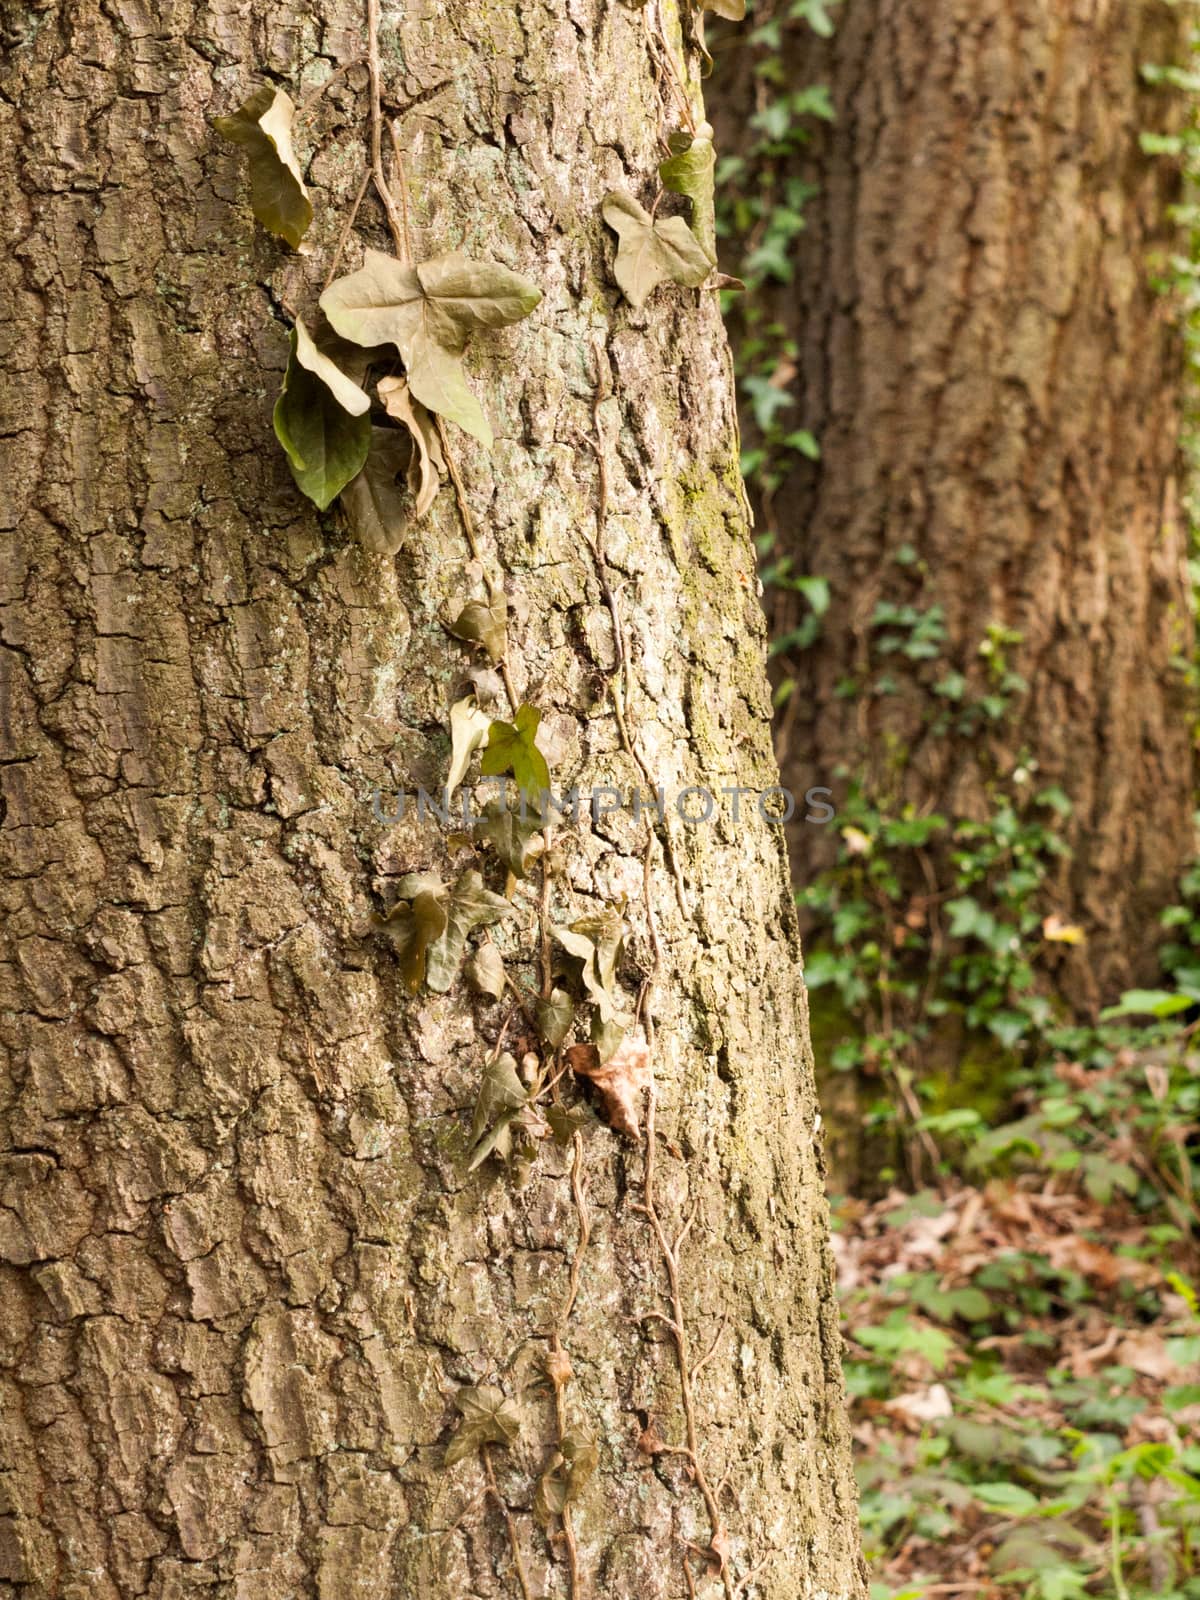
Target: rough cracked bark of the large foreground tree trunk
{"type": "Point", "coordinates": [242, 1270]}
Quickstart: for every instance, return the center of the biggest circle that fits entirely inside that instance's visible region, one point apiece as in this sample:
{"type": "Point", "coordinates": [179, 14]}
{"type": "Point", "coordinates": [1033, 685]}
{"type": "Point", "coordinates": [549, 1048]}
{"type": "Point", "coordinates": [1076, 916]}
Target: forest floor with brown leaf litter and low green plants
{"type": "Point", "coordinates": [1025, 1348]}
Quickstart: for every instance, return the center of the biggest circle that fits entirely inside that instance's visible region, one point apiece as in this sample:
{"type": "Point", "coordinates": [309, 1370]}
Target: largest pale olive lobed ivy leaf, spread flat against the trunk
{"type": "Point", "coordinates": [428, 313]}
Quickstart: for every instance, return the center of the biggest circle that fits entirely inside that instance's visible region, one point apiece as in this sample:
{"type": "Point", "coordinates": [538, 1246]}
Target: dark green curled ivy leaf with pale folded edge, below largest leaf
{"type": "Point", "coordinates": [326, 442]}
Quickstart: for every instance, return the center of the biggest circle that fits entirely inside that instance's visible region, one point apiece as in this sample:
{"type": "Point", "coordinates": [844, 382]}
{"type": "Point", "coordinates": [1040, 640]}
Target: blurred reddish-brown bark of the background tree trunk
{"type": "Point", "coordinates": [996, 386]}
